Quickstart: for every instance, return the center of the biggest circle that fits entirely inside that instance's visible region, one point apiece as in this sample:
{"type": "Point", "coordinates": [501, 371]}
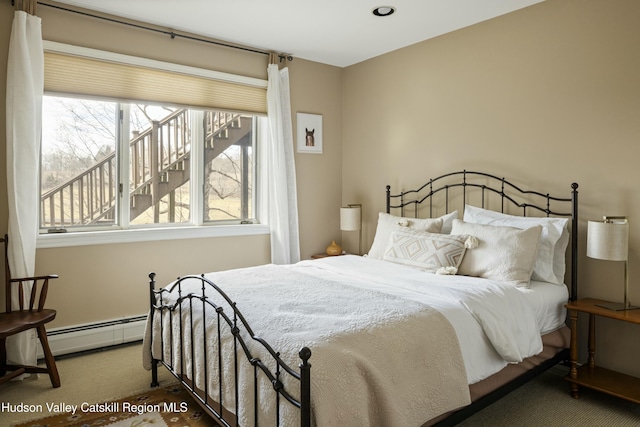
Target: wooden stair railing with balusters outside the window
{"type": "Point", "coordinates": [89, 197]}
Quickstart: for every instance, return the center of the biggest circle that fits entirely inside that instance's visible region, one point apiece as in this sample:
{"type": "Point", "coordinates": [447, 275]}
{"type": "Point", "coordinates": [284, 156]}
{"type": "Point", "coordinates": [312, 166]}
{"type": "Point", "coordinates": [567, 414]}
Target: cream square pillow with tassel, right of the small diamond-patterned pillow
{"type": "Point", "coordinates": [503, 253]}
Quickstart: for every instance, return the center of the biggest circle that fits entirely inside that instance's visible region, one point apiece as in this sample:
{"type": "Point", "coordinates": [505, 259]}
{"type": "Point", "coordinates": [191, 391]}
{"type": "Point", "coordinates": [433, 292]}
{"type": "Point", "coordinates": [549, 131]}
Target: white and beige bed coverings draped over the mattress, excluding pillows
{"type": "Point", "coordinates": [383, 351]}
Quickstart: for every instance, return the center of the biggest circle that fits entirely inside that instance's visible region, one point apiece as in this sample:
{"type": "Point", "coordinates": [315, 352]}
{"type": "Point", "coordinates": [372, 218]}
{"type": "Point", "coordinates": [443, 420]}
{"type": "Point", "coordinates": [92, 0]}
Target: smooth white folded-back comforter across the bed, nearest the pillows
{"type": "Point", "coordinates": [495, 322]}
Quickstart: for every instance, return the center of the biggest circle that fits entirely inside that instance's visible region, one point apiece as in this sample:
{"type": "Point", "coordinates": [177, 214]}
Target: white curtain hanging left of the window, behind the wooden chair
{"type": "Point", "coordinates": [25, 74]}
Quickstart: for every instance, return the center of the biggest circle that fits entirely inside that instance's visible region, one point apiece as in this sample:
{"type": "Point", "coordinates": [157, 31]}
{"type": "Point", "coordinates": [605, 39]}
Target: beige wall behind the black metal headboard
{"type": "Point", "coordinates": [545, 96]}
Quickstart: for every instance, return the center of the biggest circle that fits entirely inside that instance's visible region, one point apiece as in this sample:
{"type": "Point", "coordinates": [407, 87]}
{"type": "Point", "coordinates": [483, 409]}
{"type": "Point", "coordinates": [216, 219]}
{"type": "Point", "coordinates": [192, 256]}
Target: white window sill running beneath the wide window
{"type": "Point", "coordinates": [87, 238]}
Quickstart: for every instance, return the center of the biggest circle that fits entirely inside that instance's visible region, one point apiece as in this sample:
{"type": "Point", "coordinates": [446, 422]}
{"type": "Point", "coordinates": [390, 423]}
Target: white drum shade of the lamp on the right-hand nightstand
{"type": "Point", "coordinates": [608, 240]}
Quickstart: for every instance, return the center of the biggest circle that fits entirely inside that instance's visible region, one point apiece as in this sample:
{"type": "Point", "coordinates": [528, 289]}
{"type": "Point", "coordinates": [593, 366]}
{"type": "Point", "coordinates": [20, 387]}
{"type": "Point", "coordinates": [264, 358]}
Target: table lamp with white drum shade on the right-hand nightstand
{"type": "Point", "coordinates": [609, 240]}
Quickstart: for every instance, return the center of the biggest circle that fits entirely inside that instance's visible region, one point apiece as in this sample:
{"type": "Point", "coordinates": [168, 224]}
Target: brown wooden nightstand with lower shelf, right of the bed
{"type": "Point", "coordinates": [589, 375]}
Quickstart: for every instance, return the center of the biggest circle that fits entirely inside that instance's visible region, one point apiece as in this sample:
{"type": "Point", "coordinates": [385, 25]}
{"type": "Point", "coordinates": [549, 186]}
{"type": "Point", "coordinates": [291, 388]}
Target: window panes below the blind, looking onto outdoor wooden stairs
{"type": "Point", "coordinates": [106, 164]}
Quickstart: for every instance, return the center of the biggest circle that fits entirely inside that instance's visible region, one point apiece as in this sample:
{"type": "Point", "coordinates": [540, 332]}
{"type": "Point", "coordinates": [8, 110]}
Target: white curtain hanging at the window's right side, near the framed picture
{"type": "Point", "coordinates": [278, 197]}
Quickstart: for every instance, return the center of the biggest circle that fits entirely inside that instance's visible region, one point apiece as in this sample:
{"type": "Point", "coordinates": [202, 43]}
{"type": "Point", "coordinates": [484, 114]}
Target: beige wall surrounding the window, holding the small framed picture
{"type": "Point", "coordinates": [103, 282]}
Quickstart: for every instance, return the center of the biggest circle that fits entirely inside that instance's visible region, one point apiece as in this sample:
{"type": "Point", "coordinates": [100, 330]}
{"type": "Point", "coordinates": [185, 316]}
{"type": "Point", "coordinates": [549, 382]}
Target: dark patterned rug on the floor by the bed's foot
{"type": "Point", "coordinates": [169, 406]}
